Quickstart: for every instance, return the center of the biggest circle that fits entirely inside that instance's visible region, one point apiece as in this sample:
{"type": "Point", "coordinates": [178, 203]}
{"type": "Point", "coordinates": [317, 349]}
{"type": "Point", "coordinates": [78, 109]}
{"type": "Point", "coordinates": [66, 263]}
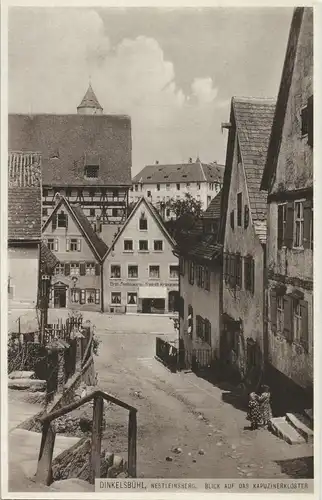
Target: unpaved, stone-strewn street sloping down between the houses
{"type": "Point", "coordinates": [185, 428]}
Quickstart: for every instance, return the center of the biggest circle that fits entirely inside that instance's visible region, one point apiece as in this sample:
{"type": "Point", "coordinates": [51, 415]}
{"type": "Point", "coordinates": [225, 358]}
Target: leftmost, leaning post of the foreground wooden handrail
{"type": "Point", "coordinates": [44, 470]}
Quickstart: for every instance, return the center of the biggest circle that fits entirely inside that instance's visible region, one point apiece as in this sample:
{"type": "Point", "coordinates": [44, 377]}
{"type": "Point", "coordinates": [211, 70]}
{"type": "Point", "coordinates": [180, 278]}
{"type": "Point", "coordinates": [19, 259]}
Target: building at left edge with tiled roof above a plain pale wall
{"type": "Point", "coordinates": [24, 238]}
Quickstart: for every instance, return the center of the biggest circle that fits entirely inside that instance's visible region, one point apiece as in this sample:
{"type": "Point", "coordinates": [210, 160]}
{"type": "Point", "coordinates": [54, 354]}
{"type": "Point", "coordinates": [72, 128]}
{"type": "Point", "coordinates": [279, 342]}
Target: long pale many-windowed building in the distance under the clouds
{"type": "Point", "coordinates": [162, 183]}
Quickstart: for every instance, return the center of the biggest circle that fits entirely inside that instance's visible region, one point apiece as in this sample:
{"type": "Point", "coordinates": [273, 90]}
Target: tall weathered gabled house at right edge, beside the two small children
{"type": "Point", "coordinates": [288, 178]}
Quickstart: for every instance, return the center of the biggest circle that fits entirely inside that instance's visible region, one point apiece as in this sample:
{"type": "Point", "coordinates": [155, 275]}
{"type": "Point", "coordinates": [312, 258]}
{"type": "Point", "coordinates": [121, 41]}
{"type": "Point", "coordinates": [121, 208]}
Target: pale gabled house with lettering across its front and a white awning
{"type": "Point", "coordinates": [140, 270]}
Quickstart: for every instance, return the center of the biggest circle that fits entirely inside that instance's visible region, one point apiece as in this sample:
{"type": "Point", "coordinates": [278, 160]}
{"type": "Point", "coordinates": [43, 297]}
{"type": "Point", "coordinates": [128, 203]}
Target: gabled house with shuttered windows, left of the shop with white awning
{"type": "Point", "coordinates": [78, 280]}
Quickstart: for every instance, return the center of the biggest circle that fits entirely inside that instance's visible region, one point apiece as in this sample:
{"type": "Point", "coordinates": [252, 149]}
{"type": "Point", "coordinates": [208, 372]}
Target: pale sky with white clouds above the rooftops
{"type": "Point", "coordinates": [173, 71]}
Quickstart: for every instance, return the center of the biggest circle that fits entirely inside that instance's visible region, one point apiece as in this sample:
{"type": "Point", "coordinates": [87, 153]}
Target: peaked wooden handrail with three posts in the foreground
{"type": "Point", "coordinates": [44, 468]}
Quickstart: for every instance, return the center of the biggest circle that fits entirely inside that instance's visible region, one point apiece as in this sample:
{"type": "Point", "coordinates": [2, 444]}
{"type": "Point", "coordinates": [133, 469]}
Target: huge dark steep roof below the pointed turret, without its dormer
{"type": "Point", "coordinates": [67, 142]}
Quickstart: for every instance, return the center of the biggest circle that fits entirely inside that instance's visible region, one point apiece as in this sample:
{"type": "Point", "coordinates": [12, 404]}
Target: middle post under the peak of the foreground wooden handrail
{"type": "Point", "coordinates": [95, 464]}
